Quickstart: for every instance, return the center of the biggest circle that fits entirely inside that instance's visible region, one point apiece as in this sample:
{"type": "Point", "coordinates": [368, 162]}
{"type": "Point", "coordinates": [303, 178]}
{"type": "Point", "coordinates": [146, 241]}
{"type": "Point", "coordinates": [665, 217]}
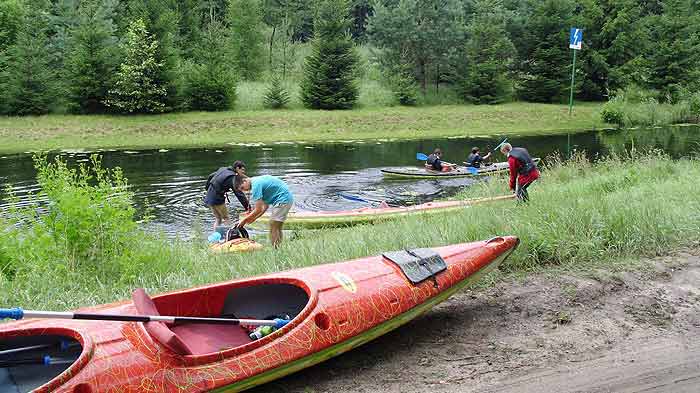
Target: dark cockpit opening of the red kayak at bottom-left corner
{"type": "Point", "coordinates": [28, 362]}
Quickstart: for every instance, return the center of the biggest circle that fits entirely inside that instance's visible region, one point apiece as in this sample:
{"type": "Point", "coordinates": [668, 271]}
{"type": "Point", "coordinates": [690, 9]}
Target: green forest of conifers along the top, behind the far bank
{"type": "Point", "coordinates": [155, 56]}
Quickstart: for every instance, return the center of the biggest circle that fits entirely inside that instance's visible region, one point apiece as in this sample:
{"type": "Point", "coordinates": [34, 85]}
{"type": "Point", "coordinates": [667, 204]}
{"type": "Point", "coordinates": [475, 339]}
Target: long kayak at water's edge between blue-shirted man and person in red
{"type": "Point", "coordinates": [326, 219]}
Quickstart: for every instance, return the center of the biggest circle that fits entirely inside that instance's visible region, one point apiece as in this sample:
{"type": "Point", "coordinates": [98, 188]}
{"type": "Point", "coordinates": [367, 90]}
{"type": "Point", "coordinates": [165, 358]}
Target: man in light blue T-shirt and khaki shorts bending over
{"type": "Point", "coordinates": [266, 191]}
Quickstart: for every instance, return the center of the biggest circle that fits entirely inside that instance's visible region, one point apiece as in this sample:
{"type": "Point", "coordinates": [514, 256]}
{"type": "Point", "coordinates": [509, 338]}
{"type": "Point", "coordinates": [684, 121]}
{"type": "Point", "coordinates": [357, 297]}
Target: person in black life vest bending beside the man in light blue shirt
{"type": "Point", "coordinates": [218, 184]}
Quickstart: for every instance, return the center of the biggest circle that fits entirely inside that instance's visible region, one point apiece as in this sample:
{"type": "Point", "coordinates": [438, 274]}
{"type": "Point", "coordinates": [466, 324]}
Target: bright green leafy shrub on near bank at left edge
{"type": "Point", "coordinates": [85, 222]}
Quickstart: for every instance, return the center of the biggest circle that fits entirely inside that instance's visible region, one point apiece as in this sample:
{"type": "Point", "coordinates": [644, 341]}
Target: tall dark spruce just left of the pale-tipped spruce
{"type": "Point", "coordinates": [93, 58]}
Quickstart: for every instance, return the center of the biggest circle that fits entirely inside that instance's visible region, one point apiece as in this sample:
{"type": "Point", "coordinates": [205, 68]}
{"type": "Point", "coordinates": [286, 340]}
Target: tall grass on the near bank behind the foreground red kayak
{"type": "Point", "coordinates": [580, 215]}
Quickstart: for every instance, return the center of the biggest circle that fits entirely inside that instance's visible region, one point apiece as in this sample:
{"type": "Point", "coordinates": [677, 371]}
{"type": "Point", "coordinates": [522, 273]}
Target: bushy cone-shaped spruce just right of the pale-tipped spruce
{"type": "Point", "coordinates": [210, 83]}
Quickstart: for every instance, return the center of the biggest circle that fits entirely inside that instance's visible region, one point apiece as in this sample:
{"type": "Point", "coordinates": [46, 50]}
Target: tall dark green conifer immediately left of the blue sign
{"type": "Point", "coordinates": [545, 67]}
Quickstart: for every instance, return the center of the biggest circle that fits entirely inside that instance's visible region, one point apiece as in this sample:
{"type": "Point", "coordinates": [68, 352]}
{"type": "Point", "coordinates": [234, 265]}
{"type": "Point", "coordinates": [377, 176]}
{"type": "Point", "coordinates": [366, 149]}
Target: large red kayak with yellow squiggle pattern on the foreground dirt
{"type": "Point", "coordinates": [333, 308]}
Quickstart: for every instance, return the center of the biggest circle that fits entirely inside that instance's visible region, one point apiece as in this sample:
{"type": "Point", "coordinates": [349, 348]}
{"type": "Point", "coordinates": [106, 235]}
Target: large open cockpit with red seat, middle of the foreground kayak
{"type": "Point", "coordinates": [261, 301]}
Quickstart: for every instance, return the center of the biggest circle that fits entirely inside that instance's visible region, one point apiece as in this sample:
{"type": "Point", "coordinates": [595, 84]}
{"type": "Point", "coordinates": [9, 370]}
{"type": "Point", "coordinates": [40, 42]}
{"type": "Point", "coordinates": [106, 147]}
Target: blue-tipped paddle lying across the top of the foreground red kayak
{"type": "Point", "coordinates": [18, 313]}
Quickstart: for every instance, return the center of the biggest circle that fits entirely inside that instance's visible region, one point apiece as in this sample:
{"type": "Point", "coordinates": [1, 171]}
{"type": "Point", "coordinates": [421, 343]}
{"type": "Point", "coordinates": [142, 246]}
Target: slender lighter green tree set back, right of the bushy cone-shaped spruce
{"type": "Point", "coordinates": [247, 40]}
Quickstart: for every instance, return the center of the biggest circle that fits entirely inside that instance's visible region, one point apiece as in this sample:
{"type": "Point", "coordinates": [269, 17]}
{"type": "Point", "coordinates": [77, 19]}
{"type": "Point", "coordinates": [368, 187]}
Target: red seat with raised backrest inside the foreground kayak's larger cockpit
{"type": "Point", "coordinates": [188, 339]}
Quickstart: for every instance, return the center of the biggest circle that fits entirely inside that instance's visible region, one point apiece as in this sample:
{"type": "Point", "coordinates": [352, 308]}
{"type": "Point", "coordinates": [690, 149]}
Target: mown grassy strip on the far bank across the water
{"type": "Point", "coordinates": [268, 126]}
